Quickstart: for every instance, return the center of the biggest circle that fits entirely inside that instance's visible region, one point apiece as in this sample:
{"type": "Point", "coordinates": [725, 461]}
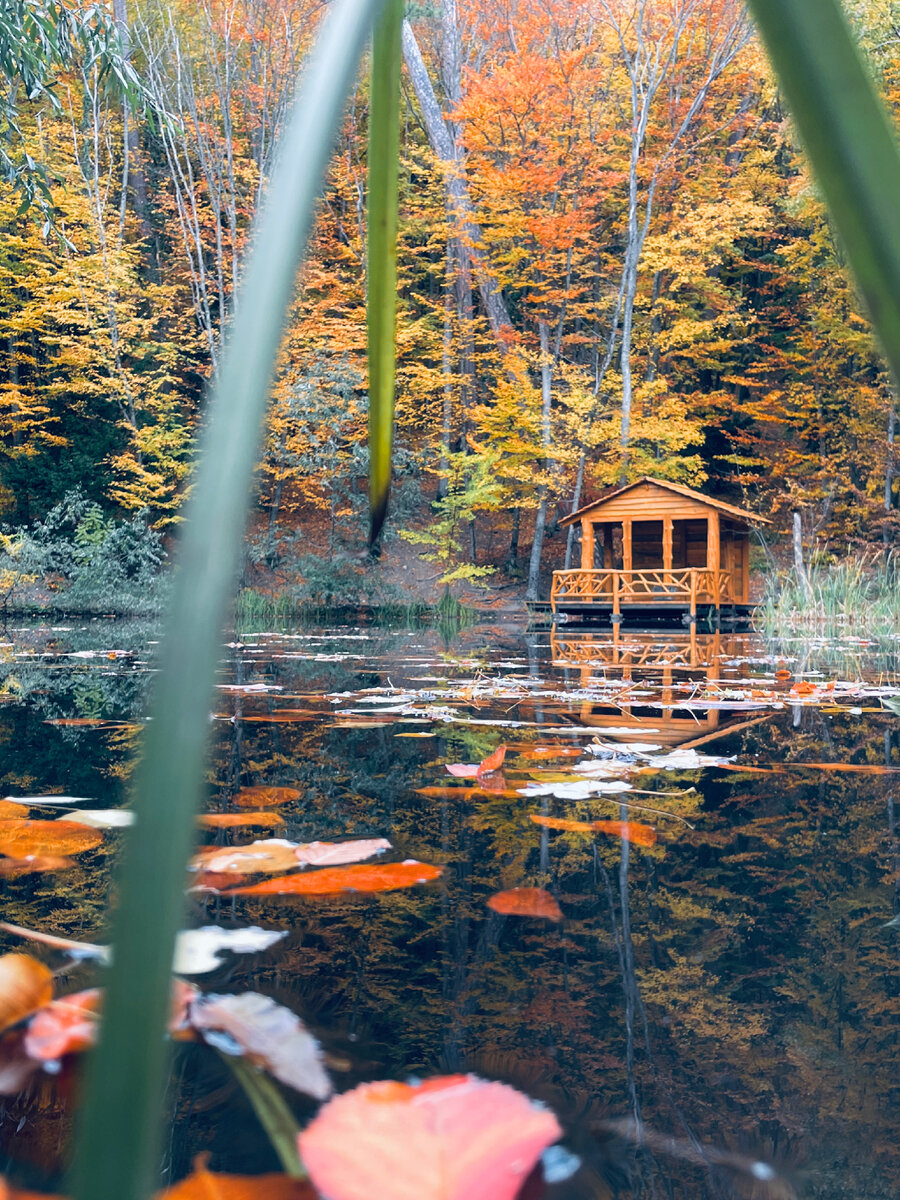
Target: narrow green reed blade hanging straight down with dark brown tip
{"type": "Point", "coordinates": [382, 296]}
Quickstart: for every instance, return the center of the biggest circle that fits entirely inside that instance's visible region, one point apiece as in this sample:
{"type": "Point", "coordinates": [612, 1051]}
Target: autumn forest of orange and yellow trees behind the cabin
{"type": "Point", "coordinates": [613, 263]}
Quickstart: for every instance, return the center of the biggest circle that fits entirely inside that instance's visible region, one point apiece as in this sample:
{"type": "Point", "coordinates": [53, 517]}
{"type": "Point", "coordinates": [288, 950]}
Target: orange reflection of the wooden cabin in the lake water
{"type": "Point", "coordinates": [662, 663]}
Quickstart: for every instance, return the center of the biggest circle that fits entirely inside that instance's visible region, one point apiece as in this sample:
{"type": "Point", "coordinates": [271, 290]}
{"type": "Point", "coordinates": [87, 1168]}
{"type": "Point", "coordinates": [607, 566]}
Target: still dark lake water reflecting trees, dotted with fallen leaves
{"type": "Point", "coordinates": [734, 988]}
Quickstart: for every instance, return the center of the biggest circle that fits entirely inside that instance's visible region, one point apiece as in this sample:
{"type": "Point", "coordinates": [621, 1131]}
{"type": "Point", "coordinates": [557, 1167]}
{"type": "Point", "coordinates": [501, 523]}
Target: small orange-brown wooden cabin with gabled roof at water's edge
{"type": "Point", "coordinates": [655, 547]}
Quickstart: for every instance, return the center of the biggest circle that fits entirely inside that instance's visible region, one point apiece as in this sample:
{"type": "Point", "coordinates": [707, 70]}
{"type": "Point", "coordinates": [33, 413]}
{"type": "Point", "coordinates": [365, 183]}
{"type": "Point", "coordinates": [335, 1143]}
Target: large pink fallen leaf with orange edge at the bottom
{"type": "Point", "coordinates": [453, 1138]}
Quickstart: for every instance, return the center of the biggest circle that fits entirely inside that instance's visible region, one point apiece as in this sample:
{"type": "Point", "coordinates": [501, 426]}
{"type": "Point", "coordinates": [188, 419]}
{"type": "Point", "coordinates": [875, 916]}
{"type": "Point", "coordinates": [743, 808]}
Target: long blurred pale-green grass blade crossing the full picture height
{"type": "Point", "coordinates": [117, 1141]}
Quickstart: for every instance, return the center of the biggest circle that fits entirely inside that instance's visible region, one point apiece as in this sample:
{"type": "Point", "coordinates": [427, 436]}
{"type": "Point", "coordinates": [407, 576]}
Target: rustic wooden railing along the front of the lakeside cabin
{"type": "Point", "coordinates": [689, 587]}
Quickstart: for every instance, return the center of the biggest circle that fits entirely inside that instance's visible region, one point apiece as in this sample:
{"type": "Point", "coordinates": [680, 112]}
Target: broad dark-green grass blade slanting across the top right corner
{"type": "Point", "coordinates": [850, 143]}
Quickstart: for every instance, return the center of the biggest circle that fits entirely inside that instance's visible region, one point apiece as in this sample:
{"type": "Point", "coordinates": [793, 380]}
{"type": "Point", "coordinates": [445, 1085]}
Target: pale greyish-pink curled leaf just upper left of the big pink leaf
{"type": "Point", "coordinates": [268, 1035]}
